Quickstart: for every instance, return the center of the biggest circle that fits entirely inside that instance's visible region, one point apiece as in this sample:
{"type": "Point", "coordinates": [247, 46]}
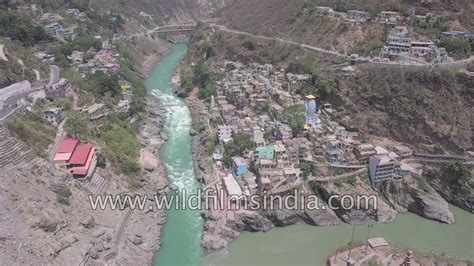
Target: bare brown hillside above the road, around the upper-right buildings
{"type": "Point", "coordinates": [296, 20]}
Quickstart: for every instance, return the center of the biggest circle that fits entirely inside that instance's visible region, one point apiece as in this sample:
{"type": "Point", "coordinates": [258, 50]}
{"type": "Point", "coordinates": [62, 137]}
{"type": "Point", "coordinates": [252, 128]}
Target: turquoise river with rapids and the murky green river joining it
{"type": "Point", "coordinates": [293, 245]}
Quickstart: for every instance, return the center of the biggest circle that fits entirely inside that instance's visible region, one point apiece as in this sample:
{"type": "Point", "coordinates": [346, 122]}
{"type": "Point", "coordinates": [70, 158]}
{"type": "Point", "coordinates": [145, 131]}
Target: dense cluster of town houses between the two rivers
{"type": "Point", "coordinates": [251, 99]}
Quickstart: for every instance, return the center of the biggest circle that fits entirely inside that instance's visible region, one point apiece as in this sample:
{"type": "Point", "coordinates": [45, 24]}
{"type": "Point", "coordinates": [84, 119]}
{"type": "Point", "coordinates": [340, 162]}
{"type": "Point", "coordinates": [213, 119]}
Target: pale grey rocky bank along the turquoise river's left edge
{"type": "Point", "coordinates": [145, 232]}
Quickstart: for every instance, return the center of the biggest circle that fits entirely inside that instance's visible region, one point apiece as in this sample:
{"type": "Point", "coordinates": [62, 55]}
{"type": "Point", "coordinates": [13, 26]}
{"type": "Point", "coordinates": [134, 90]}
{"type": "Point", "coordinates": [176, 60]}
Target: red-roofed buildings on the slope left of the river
{"type": "Point", "coordinates": [78, 158]}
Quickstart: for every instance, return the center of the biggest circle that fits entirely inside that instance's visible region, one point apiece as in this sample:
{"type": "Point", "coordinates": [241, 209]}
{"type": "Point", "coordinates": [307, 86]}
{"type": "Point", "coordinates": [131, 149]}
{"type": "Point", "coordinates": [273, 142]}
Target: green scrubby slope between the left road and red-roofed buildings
{"type": "Point", "coordinates": [34, 130]}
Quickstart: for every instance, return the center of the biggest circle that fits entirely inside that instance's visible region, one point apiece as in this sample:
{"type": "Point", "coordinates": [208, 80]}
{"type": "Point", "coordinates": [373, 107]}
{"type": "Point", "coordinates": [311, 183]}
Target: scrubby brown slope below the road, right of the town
{"type": "Point", "coordinates": [417, 106]}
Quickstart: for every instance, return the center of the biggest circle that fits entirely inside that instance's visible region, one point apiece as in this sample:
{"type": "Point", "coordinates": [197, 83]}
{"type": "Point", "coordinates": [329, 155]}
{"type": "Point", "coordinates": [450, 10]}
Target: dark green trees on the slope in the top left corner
{"type": "Point", "coordinates": [20, 27]}
